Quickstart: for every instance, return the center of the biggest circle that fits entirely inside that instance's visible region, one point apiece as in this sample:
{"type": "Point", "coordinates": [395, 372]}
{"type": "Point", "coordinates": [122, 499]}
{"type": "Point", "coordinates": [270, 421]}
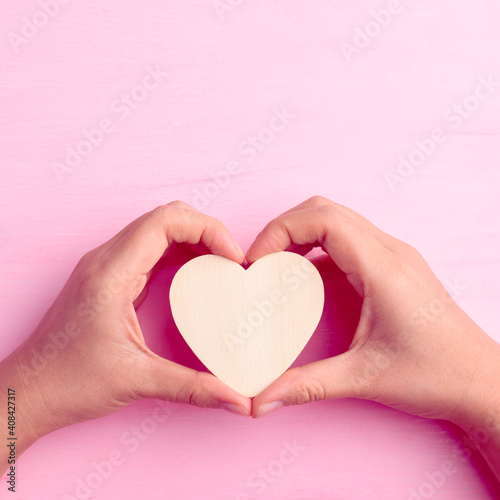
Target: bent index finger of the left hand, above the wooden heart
{"type": "Point", "coordinates": [143, 245]}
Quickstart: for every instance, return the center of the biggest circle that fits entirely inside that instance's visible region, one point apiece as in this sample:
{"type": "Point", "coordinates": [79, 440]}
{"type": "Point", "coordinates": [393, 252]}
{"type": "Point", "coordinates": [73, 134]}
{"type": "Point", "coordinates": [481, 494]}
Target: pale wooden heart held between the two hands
{"type": "Point", "coordinates": [247, 326]}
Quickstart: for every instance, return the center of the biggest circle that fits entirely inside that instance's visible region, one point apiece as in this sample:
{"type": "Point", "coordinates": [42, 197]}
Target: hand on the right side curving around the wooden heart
{"type": "Point", "coordinates": [414, 348]}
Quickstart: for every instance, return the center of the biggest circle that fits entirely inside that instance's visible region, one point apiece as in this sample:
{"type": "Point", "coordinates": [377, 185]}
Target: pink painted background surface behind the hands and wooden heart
{"type": "Point", "coordinates": [224, 77]}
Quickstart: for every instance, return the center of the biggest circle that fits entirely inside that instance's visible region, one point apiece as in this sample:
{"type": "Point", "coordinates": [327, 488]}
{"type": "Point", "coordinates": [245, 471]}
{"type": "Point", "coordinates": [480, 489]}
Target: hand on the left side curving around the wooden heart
{"type": "Point", "coordinates": [87, 358]}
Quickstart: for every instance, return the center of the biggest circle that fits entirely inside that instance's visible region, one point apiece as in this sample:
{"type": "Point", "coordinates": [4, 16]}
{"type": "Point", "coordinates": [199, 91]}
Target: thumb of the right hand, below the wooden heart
{"type": "Point", "coordinates": [329, 378]}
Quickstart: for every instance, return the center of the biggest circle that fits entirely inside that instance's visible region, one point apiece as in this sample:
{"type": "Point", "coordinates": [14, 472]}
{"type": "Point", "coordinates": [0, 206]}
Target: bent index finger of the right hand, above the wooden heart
{"type": "Point", "coordinates": [355, 251]}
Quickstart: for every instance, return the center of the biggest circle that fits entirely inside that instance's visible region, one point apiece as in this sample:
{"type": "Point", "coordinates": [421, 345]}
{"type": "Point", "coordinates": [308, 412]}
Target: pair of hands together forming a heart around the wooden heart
{"type": "Point", "coordinates": [414, 348]}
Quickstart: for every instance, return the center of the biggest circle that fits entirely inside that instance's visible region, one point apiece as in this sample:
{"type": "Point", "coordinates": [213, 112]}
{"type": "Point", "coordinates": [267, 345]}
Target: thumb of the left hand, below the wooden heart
{"type": "Point", "coordinates": [170, 381]}
